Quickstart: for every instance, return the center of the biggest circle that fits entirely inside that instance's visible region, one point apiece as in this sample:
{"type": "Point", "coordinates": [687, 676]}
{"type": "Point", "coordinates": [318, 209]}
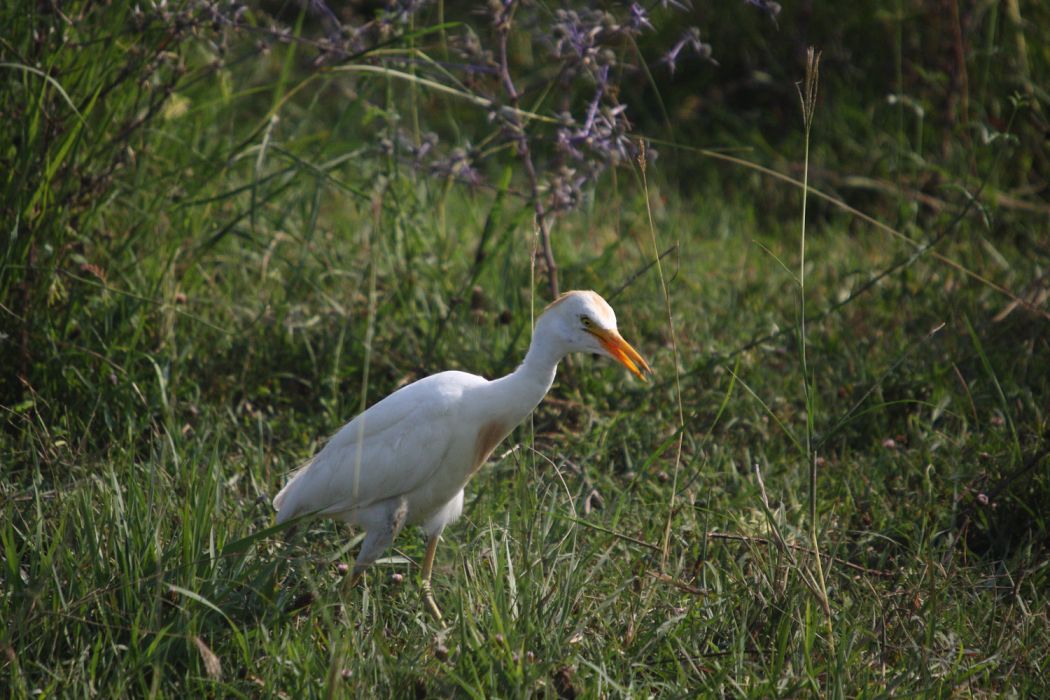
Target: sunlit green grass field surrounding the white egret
{"type": "Point", "coordinates": [214, 268]}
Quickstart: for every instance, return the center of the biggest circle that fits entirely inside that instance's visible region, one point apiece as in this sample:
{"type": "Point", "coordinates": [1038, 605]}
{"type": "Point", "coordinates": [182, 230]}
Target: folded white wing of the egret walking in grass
{"type": "Point", "coordinates": [389, 451]}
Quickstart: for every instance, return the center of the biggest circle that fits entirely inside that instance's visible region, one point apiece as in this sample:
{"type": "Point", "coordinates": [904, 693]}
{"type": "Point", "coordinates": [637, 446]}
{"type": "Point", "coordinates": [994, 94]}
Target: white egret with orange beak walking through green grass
{"type": "Point", "coordinates": [407, 460]}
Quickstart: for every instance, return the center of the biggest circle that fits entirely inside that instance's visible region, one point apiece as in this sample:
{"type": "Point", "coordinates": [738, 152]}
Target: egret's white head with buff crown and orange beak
{"type": "Point", "coordinates": [585, 323]}
